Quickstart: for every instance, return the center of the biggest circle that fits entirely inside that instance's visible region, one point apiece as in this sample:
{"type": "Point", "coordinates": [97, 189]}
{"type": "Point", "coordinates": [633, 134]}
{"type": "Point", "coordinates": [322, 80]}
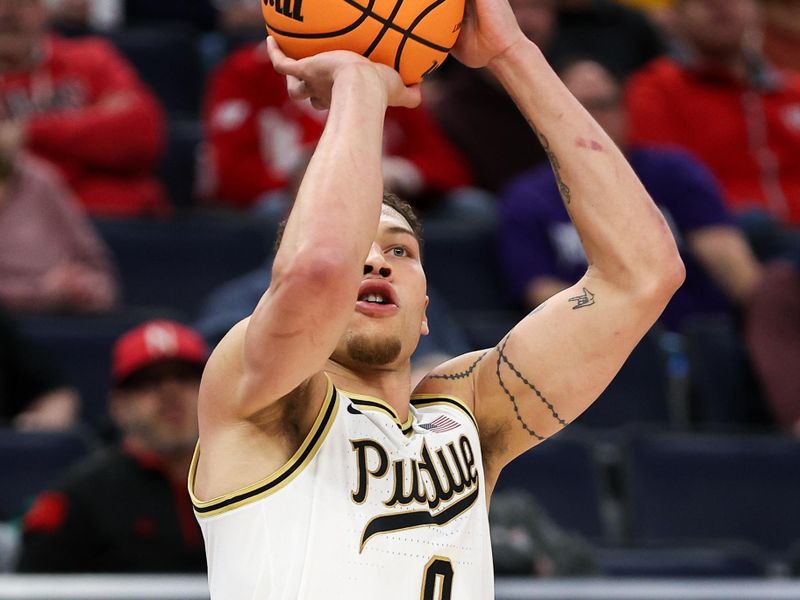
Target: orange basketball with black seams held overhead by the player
{"type": "Point", "coordinates": [411, 36]}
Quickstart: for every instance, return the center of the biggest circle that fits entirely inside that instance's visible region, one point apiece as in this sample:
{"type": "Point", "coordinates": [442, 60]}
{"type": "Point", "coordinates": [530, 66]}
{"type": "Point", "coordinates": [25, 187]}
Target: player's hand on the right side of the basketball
{"type": "Point", "coordinates": [489, 29]}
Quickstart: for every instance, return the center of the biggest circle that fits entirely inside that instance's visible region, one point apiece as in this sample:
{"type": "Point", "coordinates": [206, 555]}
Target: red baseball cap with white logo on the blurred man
{"type": "Point", "coordinates": [155, 342]}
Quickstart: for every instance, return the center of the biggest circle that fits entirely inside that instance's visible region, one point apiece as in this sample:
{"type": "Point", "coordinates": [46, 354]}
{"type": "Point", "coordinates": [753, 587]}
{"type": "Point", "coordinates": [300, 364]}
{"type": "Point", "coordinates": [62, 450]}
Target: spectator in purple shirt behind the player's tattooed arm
{"type": "Point", "coordinates": [540, 248]}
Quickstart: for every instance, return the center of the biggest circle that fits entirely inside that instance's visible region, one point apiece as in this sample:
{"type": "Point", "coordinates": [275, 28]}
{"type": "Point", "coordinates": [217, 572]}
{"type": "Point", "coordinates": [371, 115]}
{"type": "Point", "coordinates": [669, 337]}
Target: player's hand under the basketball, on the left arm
{"type": "Point", "coordinates": [313, 77]}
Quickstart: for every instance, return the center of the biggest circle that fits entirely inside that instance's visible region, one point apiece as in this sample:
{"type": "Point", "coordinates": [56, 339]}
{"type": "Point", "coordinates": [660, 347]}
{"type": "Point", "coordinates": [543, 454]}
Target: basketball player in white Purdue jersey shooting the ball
{"type": "Point", "coordinates": [318, 474]}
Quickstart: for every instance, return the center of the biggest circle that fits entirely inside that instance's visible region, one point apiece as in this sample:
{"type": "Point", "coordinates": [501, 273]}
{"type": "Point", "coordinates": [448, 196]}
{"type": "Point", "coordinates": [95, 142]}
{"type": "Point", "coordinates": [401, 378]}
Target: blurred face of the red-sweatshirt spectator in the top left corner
{"type": "Point", "coordinates": [22, 23]}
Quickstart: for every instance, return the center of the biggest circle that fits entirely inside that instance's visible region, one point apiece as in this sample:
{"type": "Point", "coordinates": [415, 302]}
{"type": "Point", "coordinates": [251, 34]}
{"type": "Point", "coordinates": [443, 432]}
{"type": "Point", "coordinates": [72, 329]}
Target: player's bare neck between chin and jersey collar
{"type": "Point", "coordinates": [393, 386]}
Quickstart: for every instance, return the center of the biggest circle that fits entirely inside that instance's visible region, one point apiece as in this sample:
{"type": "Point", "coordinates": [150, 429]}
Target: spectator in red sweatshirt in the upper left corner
{"type": "Point", "coordinates": [80, 106]}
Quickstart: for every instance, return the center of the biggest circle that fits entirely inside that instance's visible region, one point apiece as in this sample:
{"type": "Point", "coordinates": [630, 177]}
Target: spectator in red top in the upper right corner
{"type": "Point", "coordinates": [721, 100]}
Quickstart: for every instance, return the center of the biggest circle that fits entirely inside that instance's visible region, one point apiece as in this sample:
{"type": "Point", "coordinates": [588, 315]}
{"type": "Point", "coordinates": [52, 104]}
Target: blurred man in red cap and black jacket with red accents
{"type": "Point", "coordinates": [128, 509]}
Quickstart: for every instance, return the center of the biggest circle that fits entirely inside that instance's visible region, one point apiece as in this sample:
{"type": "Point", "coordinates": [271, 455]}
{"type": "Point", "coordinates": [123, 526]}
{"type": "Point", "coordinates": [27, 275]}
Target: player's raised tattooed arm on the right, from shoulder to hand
{"type": "Point", "coordinates": [557, 360]}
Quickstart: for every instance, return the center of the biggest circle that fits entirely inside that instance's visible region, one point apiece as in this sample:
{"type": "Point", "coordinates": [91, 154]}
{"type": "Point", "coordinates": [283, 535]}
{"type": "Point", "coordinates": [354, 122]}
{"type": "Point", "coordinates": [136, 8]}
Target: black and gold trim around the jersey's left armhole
{"type": "Point", "coordinates": [280, 478]}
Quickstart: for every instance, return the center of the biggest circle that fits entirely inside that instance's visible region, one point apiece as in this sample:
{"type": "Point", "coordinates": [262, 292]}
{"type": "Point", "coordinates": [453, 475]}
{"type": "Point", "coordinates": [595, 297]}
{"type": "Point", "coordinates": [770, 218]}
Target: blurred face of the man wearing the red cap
{"type": "Point", "coordinates": [160, 407]}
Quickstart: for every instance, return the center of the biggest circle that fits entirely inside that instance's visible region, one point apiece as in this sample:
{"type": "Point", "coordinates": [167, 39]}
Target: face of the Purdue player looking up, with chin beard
{"type": "Point", "coordinates": [389, 314]}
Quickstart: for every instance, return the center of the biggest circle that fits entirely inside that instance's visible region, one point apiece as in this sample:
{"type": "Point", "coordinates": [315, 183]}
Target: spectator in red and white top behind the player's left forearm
{"type": "Point", "coordinates": [259, 140]}
